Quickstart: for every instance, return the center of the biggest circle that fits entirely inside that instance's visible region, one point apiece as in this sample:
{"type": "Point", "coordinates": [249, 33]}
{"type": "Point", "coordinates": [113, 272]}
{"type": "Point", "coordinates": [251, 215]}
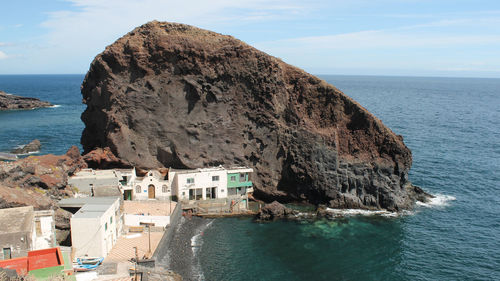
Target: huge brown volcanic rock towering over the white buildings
{"type": "Point", "coordinates": [174, 95]}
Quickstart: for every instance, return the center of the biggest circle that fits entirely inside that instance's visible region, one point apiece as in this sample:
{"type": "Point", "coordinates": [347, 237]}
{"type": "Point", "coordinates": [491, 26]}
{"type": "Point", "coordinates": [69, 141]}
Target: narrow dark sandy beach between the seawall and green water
{"type": "Point", "coordinates": [182, 254]}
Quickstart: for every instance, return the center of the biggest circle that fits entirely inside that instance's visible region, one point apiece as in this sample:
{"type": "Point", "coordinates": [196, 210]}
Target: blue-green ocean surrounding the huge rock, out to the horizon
{"type": "Point", "coordinates": [452, 126]}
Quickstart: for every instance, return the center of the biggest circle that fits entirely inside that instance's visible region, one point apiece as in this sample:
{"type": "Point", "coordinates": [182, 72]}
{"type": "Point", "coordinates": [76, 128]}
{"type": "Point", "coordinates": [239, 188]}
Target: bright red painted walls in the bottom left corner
{"type": "Point", "coordinates": [35, 260]}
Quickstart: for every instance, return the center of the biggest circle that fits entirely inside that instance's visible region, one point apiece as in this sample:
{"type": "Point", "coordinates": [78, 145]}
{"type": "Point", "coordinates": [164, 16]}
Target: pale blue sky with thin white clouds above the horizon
{"type": "Point", "coordinates": [452, 38]}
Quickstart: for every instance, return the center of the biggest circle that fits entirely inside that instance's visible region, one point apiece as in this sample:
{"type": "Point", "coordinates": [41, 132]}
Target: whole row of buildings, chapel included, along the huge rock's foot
{"type": "Point", "coordinates": [196, 184]}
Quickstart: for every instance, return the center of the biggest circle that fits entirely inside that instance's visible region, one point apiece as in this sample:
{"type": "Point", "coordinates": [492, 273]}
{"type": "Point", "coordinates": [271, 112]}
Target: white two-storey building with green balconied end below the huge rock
{"type": "Point", "coordinates": [210, 183]}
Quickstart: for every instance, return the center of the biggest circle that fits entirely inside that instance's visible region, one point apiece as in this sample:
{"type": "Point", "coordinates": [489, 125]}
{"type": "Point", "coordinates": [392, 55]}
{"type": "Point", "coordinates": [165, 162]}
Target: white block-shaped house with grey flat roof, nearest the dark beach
{"type": "Point", "coordinates": [96, 226]}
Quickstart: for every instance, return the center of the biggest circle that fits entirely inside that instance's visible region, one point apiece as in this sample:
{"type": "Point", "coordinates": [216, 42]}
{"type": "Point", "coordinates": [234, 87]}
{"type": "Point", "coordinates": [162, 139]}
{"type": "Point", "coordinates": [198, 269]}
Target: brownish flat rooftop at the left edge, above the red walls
{"type": "Point", "coordinates": [18, 219]}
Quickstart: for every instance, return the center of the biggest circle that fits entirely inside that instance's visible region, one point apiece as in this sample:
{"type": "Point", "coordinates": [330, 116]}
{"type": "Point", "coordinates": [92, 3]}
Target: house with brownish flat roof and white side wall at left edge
{"type": "Point", "coordinates": [23, 229]}
